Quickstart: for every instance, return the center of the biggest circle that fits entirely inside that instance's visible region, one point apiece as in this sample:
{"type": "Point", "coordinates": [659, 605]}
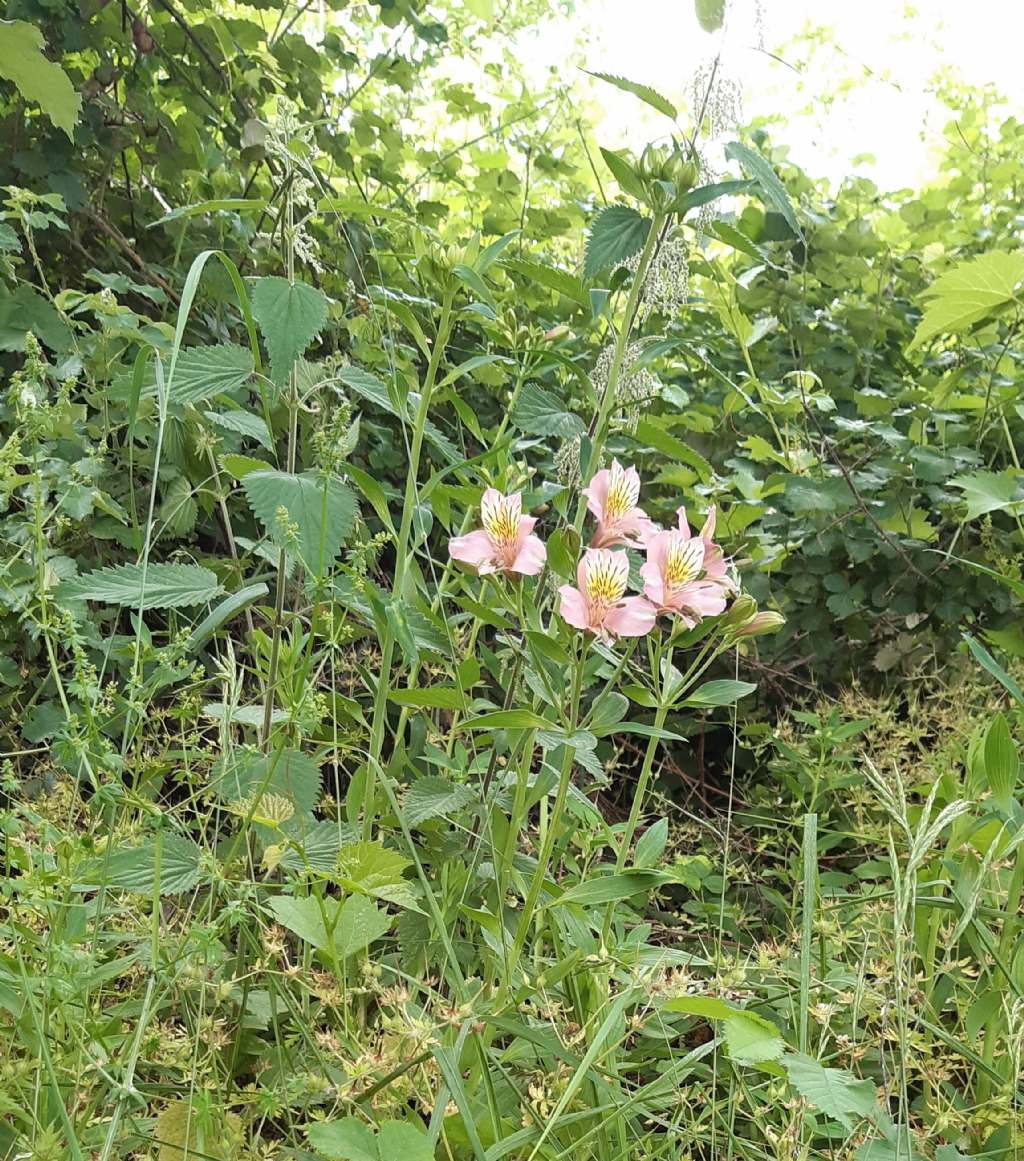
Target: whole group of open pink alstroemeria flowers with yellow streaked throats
{"type": "Point", "coordinates": [684, 575]}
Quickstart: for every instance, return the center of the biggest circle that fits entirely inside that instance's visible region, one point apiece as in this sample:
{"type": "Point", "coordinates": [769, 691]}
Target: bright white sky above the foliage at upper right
{"type": "Point", "coordinates": [864, 93]}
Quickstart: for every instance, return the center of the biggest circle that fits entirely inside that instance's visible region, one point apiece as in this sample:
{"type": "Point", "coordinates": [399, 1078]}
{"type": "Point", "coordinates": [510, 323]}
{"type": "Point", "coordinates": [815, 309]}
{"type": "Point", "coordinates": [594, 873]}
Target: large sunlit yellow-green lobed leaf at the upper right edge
{"type": "Point", "coordinates": [970, 293]}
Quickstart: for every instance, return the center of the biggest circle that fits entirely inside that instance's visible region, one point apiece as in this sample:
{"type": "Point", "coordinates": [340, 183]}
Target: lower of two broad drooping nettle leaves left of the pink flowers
{"type": "Point", "coordinates": [322, 508]}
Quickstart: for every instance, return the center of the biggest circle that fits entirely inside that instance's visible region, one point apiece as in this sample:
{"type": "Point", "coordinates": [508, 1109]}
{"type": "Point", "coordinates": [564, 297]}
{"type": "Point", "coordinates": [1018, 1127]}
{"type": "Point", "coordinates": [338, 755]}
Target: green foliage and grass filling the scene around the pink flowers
{"type": "Point", "coordinates": [206, 950]}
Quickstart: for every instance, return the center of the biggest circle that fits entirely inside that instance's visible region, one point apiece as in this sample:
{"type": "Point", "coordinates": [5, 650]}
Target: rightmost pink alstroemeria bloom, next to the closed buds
{"type": "Point", "coordinates": [687, 575]}
